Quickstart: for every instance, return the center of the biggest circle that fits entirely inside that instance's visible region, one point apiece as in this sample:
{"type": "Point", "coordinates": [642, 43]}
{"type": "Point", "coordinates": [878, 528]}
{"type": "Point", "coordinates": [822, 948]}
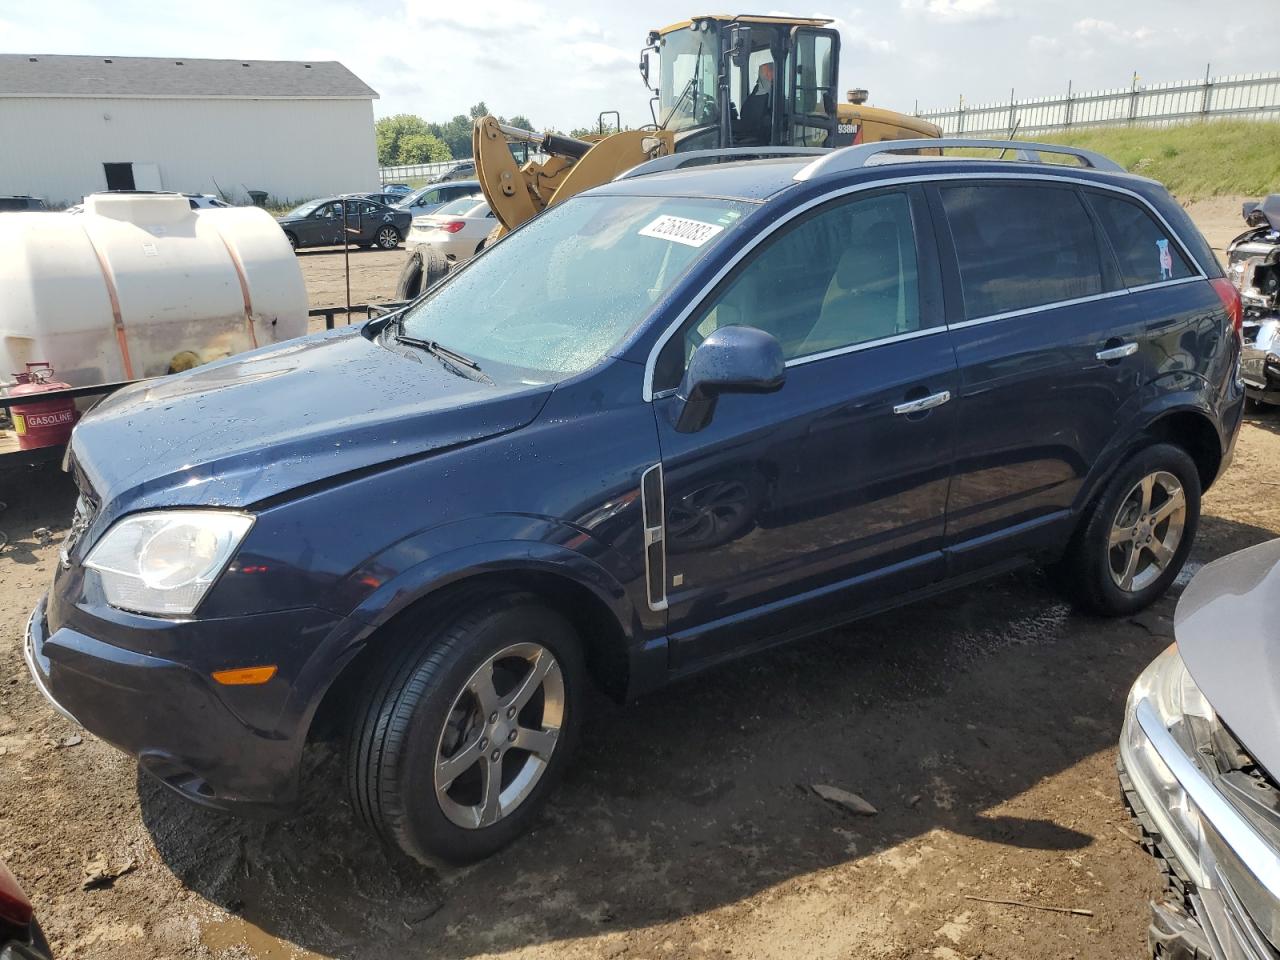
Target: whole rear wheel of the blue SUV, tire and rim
{"type": "Point", "coordinates": [1139, 533]}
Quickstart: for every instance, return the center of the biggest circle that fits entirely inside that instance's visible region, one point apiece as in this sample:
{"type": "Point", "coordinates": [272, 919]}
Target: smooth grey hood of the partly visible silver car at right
{"type": "Point", "coordinates": [1228, 630]}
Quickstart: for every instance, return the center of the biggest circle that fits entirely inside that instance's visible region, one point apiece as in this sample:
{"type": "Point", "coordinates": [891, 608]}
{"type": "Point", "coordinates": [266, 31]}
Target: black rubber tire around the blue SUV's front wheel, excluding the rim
{"type": "Point", "coordinates": [410, 710]}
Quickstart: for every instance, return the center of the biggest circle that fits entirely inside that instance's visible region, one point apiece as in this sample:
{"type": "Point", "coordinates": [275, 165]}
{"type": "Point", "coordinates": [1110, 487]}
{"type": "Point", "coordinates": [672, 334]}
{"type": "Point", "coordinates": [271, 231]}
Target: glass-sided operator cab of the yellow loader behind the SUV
{"type": "Point", "coordinates": [746, 81]}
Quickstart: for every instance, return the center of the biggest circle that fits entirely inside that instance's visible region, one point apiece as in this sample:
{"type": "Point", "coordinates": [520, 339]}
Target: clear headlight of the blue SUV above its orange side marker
{"type": "Point", "coordinates": [166, 563]}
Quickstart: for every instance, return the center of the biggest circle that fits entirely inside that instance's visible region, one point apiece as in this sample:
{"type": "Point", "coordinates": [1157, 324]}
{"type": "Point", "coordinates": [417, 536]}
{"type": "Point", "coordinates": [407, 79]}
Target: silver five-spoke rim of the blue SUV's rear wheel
{"type": "Point", "coordinates": [1146, 532]}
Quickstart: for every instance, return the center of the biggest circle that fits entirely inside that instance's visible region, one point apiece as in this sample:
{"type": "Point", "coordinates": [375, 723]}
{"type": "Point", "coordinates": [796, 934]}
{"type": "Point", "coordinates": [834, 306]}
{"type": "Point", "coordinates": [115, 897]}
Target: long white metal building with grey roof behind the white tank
{"type": "Point", "coordinates": [79, 125]}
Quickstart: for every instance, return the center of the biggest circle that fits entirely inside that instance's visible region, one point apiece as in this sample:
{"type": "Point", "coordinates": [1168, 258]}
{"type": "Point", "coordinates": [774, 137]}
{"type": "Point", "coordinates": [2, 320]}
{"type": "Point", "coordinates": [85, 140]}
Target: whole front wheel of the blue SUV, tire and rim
{"type": "Point", "coordinates": [459, 743]}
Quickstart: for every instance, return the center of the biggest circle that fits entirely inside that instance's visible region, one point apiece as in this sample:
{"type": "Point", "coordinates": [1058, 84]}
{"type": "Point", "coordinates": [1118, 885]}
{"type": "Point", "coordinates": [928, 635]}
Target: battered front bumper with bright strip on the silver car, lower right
{"type": "Point", "coordinates": [1204, 912]}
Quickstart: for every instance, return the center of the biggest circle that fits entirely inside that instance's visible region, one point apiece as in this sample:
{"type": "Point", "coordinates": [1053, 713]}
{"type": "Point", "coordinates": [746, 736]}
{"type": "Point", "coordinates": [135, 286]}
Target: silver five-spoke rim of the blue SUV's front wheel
{"type": "Point", "coordinates": [500, 737]}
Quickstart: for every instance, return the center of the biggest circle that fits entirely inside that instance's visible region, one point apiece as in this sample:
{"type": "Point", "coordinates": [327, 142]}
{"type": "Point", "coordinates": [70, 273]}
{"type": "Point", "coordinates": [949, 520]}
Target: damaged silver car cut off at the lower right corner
{"type": "Point", "coordinates": [1200, 765]}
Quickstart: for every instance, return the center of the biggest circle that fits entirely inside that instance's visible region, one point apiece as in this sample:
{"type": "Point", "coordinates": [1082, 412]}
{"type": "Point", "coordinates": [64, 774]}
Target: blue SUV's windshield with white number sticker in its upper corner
{"type": "Point", "coordinates": [556, 296]}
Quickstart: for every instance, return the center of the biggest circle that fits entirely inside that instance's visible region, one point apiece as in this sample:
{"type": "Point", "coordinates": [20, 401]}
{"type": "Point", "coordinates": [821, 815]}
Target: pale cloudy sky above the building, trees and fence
{"type": "Point", "coordinates": [563, 63]}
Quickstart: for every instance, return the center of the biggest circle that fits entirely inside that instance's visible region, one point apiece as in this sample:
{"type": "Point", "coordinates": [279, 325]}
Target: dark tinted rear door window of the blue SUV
{"type": "Point", "coordinates": [1022, 246]}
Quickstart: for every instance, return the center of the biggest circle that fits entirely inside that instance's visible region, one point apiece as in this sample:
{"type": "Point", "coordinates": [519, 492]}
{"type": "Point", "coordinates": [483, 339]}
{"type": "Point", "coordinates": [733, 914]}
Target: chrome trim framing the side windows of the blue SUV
{"type": "Point", "coordinates": [648, 394]}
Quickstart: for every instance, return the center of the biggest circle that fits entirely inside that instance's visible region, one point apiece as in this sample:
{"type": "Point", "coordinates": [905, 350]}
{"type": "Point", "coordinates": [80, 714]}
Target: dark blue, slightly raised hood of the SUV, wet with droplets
{"type": "Point", "coordinates": [308, 412]}
